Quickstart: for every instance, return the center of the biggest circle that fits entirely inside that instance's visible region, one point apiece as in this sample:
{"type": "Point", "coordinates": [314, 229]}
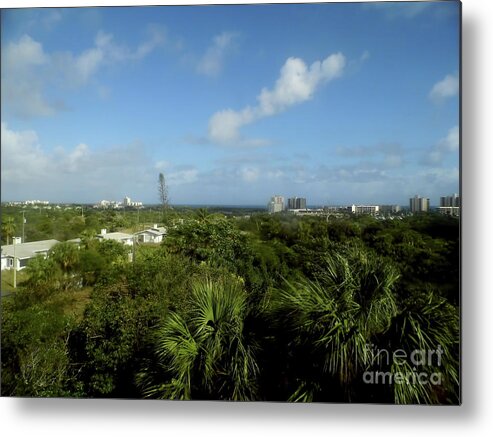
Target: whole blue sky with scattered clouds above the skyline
{"type": "Point", "coordinates": [338, 103]}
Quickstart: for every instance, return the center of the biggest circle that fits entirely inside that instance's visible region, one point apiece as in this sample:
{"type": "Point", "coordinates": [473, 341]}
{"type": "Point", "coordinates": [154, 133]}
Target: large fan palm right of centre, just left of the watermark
{"type": "Point", "coordinates": [331, 321]}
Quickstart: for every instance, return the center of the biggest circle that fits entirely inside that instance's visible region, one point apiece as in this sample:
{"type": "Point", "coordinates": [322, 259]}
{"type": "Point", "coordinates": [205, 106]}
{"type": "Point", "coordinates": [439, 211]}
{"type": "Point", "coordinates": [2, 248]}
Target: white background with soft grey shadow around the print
{"type": "Point", "coordinates": [148, 418]}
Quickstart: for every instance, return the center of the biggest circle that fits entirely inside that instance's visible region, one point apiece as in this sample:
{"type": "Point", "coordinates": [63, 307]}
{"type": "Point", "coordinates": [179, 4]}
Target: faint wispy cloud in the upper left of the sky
{"type": "Point", "coordinates": [28, 71]}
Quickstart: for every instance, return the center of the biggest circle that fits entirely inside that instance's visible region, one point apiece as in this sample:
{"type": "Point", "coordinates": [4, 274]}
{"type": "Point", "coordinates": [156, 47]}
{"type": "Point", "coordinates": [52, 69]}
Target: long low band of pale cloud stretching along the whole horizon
{"type": "Point", "coordinates": [83, 174]}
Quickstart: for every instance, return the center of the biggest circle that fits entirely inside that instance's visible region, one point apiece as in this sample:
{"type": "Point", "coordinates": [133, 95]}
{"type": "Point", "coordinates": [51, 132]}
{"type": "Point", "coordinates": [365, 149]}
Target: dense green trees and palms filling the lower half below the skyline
{"type": "Point", "coordinates": [234, 307]}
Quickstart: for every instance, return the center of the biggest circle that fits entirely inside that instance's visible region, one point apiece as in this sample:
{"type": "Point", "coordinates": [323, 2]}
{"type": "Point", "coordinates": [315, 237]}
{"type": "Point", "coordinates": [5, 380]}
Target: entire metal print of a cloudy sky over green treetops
{"type": "Point", "coordinates": [241, 202]}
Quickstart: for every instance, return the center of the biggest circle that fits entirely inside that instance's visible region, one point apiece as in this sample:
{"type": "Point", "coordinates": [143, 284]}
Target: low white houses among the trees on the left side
{"type": "Point", "coordinates": [16, 256]}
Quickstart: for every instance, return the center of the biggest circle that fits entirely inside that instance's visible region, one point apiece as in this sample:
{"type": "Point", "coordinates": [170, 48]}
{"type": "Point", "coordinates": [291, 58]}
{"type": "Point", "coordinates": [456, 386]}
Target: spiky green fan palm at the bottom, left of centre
{"type": "Point", "coordinates": [207, 353]}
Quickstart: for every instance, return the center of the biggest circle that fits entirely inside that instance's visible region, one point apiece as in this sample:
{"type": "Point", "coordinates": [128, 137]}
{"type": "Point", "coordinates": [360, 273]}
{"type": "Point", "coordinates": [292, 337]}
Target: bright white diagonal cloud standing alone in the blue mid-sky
{"type": "Point", "coordinates": [297, 83]}
